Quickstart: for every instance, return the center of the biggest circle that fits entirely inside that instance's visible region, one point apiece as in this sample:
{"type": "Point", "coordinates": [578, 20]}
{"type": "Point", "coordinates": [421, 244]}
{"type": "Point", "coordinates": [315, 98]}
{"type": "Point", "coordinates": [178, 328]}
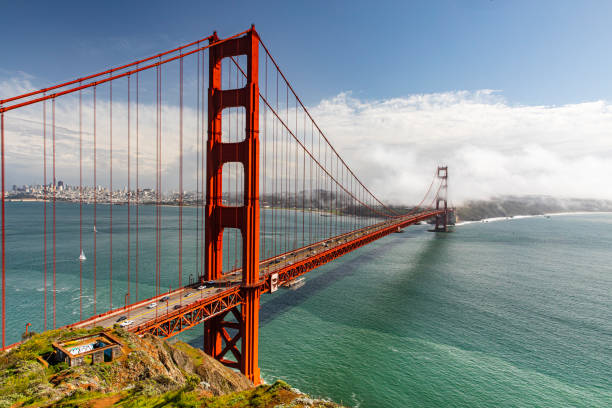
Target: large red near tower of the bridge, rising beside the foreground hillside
{"type": "Point", "coordinates": [221, 335]}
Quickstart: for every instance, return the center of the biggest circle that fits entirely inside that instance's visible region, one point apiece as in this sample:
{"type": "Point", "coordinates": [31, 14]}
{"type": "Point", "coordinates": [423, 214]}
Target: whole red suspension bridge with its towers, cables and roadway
{"type": "Point", "coordinates": [266, 197]}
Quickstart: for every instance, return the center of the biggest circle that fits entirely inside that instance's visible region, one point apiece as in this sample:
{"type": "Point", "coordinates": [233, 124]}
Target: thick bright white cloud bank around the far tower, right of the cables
{"type": "Point", "coordinates": [490, 146]}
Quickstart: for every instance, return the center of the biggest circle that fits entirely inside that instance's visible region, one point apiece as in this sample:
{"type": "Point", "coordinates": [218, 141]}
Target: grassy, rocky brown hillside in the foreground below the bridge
{"type": "Point", "coordinates": [149, 373]}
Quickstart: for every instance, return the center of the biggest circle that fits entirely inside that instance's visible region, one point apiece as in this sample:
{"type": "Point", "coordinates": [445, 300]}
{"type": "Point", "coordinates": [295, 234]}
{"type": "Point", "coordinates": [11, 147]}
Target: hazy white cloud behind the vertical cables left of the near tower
{"type": "Point", "coordinates": [24, 138]}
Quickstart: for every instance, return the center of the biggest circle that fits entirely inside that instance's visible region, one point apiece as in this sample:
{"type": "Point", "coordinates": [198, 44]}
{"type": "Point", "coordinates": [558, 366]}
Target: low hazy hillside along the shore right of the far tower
{"type": "Point", "coordinates": [508, 206]}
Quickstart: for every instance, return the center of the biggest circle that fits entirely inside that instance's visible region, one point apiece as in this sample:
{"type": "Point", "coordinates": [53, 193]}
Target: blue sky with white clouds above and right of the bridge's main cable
{"type": "Point", "coordinates": [514, 96]}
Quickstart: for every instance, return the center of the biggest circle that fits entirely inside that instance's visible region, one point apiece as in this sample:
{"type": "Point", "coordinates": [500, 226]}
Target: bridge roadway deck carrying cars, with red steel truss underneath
{"type": "Point", "coordinates": [188, 306]}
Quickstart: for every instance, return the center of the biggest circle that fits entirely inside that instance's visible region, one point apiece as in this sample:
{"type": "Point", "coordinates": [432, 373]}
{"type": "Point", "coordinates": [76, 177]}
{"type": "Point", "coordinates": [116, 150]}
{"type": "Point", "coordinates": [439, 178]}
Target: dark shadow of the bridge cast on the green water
{"type": "Point", "coordinates": [395, 302]}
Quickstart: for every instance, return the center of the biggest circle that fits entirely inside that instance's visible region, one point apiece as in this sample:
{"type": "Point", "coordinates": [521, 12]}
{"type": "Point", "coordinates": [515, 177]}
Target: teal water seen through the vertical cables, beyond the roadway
{"type": "Point", "coordinates": [76, 295]}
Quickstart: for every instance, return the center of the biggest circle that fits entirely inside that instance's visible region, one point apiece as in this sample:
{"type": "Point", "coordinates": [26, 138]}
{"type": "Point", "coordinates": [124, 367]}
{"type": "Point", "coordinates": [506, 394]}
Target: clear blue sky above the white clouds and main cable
{"type": "Point", "coordinates": [536, 52]}
